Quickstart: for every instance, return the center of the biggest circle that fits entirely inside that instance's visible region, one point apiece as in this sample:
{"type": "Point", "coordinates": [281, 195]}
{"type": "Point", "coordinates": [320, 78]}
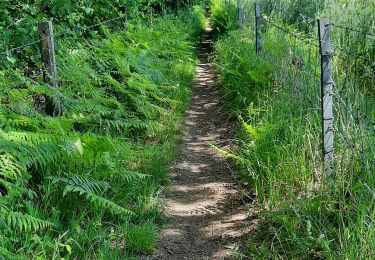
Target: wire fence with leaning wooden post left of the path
{"type": "Point", "coordinates": [22, 69]}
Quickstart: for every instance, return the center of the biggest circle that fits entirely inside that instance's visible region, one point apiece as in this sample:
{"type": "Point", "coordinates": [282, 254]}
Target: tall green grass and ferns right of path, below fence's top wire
{"type": "Point", "coordinates": [303, 214]}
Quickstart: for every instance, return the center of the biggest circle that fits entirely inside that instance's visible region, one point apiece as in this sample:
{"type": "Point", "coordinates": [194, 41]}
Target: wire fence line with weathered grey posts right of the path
{"type": "Point", "coordinates": [347, 90]}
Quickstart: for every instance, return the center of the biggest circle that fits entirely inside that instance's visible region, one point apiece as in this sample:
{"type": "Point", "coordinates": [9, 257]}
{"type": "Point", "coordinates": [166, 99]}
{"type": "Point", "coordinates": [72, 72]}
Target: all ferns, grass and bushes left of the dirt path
{"type": "Point", "coordinates": [85, 185]}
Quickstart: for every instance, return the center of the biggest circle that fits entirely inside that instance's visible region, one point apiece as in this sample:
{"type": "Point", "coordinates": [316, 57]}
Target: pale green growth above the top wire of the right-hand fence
{"type": "Point", "coordinates": [302, 14]}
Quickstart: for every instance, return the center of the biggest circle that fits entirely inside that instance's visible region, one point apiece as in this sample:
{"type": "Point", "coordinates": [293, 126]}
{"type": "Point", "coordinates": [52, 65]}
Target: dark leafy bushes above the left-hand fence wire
{"type": "Point", "coordinates": [18, 21]}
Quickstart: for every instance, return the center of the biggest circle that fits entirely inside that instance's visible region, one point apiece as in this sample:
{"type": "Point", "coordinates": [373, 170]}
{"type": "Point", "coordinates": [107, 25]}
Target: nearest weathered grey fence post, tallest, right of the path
{"type": "Point", "coordinates": [324, 28]}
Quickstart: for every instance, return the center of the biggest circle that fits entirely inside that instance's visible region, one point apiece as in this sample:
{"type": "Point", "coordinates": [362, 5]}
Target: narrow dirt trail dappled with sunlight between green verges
{"type": "Point", "coordinates": [207, 217]}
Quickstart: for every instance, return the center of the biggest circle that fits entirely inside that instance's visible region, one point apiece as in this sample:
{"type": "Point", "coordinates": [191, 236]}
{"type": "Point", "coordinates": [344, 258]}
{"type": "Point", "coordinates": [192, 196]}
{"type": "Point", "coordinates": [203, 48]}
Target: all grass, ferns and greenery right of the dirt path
{"type": "Point", "coordinates": [302, 213]}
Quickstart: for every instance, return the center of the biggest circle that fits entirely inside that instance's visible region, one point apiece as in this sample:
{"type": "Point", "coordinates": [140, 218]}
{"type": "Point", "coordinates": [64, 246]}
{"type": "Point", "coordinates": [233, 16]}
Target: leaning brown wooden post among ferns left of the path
{"type": "Point", "coordinates": [49, 59]}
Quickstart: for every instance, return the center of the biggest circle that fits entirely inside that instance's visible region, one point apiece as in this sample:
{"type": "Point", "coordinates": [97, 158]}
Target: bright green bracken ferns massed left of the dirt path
{"type": "Point", "coordinates": [119, 96]}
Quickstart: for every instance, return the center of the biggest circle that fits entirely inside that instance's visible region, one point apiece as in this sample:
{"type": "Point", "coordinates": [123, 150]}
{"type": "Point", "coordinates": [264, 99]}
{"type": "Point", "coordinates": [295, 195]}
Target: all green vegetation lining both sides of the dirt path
{"type": "Point", "coordinates": [85, 184]}
